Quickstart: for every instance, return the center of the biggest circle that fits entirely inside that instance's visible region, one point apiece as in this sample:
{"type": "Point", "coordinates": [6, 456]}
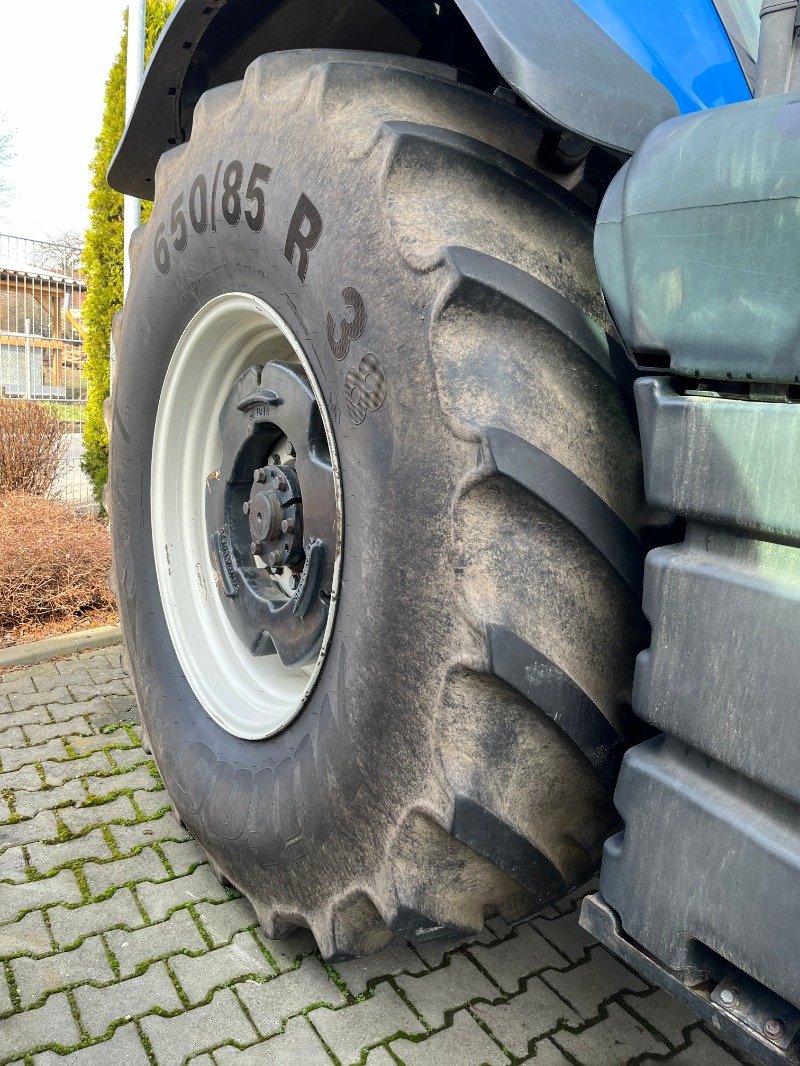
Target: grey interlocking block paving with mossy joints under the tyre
{"type": "Point", "coordinates": [120, 947]}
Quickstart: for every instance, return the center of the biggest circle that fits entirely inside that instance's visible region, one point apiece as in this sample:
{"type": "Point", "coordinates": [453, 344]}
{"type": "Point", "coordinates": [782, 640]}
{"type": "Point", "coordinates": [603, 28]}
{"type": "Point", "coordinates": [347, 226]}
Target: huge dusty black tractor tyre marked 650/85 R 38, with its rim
{"type": "Point", "coordinates": [456, 755]}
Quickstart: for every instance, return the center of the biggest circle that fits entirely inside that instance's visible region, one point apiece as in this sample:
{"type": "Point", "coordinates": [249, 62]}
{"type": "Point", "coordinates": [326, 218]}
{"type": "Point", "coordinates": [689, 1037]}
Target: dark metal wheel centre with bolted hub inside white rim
{"type": "Point", "coordinates": [280, 514]}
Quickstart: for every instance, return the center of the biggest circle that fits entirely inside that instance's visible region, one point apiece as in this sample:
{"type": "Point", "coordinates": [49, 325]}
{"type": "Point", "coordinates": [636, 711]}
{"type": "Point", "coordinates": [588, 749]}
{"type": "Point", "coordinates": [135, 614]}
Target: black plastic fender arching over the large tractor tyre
{"type": "Point", "coordinates": [551, 53]}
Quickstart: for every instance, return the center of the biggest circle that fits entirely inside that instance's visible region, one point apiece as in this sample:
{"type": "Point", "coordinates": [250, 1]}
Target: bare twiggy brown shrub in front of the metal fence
{"type": "Point", "coordinates": [33, 444]}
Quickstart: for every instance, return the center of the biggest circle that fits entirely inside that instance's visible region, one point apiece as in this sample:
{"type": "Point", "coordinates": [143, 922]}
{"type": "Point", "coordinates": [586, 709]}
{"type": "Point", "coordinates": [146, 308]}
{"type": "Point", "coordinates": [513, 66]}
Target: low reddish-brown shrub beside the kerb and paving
{"type": "Point", "coordinates": [54, 563]}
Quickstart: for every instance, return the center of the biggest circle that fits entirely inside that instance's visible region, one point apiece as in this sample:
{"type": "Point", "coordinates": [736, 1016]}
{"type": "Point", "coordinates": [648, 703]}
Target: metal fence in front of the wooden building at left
{"type": "Point", "coordinates": [42, 358]}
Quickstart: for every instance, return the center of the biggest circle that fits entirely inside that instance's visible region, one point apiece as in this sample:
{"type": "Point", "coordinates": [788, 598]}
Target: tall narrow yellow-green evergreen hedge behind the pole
{"type": "Point", "coordinates": [104, 253]}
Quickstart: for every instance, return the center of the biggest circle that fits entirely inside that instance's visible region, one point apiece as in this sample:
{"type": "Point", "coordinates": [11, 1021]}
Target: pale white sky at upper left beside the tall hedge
{"type": "Point", "coordinates": [55, 59]}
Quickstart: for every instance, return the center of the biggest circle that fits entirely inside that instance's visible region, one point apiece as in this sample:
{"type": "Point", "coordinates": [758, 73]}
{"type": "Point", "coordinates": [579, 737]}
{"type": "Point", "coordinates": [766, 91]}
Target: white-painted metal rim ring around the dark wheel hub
{"type": "Point", "coordinates": [250, 697]}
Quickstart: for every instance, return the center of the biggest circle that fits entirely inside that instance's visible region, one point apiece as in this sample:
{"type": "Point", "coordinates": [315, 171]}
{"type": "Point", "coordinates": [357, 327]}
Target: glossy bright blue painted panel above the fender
{"type": "Point", "coordinates": [682, 43]}
